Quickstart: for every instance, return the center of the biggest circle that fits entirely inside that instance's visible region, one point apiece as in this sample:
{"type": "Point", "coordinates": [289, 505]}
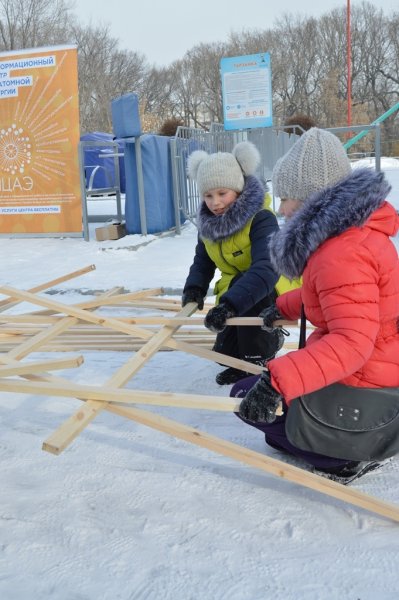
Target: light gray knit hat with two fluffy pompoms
{"type": "Point", "coordinates": [223, 169]}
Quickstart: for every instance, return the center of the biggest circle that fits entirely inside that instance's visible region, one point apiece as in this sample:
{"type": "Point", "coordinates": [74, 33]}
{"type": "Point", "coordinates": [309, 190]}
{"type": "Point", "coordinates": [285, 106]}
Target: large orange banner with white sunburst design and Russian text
{"type": "Point", "coordinates": [39, 136]}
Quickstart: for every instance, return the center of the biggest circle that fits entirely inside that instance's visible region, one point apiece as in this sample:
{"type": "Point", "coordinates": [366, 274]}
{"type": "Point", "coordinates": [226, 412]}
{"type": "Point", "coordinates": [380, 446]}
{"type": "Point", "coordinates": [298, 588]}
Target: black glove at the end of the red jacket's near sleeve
{"type": "Point", "coordinates": [261, 402]}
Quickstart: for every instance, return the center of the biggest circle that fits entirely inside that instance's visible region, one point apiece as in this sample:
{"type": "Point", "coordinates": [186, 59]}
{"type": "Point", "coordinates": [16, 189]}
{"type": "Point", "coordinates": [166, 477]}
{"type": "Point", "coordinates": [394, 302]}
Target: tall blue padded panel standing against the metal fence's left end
{"type": "Point", "coordinates": [158, 187]}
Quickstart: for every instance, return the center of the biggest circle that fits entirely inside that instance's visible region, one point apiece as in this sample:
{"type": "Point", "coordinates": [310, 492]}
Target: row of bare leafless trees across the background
{"type": "Point", "coordinates": [308, 58]}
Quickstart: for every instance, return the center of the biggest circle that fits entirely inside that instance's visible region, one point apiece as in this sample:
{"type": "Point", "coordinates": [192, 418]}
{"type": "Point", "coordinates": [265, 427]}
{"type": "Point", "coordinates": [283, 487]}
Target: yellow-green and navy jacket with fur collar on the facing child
{"type": "Point", "coordinates": [236, 243]}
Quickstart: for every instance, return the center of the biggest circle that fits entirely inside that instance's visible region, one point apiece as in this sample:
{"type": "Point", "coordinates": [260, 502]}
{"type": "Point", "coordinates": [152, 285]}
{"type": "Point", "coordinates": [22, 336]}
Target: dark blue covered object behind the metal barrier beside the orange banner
{"type": "Point", "coordinates": [103, 168]}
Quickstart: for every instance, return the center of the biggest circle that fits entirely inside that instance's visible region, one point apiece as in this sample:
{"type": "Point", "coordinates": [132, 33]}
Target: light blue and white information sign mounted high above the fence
{"type": "Point", "coordinates": [247, 91]}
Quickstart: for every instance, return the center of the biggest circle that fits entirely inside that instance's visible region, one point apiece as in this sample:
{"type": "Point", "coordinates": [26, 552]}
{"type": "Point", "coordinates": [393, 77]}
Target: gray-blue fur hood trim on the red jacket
{"type": "Point", "coordinates": [326, 214]}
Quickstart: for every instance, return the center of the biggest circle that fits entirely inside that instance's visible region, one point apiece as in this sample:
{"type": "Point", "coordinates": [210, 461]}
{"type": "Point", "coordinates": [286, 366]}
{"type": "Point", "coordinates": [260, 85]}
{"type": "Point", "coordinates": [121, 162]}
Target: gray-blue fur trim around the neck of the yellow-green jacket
{"type": "Point", "coordinates": [248, 203]}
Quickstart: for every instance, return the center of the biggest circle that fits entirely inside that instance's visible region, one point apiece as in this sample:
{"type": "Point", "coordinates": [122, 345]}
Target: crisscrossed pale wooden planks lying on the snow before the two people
{"type": "Point", "coordinates": [59, 327]}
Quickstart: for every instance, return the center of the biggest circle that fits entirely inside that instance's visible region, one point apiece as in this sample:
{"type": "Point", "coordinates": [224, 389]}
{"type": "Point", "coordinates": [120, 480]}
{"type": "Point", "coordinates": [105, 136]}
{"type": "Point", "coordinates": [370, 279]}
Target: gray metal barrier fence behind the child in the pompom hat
{"type": "Point", "coordinates": [272, 143]}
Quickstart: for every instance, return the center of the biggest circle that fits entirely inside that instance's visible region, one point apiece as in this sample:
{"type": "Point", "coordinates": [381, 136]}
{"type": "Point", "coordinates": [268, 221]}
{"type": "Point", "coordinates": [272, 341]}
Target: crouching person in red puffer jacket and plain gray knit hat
{"type": "Point", "coordinates": [338, 240]}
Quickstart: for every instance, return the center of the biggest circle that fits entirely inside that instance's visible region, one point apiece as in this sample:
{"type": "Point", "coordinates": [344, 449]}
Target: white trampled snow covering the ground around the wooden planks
{"type": "Point", "coordinates": [128, 513]}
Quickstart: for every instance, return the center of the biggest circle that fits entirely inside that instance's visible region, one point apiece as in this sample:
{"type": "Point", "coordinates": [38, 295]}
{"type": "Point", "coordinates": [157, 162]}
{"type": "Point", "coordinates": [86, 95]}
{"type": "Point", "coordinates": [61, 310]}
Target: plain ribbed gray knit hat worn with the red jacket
{"type": "Point", "coordinates": [316, 161]}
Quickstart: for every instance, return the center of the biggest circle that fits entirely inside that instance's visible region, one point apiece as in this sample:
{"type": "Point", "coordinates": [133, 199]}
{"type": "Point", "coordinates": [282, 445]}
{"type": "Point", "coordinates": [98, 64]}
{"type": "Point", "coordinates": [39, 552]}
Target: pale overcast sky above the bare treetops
{"type": "Point", "coordinates": [165, 30]}
